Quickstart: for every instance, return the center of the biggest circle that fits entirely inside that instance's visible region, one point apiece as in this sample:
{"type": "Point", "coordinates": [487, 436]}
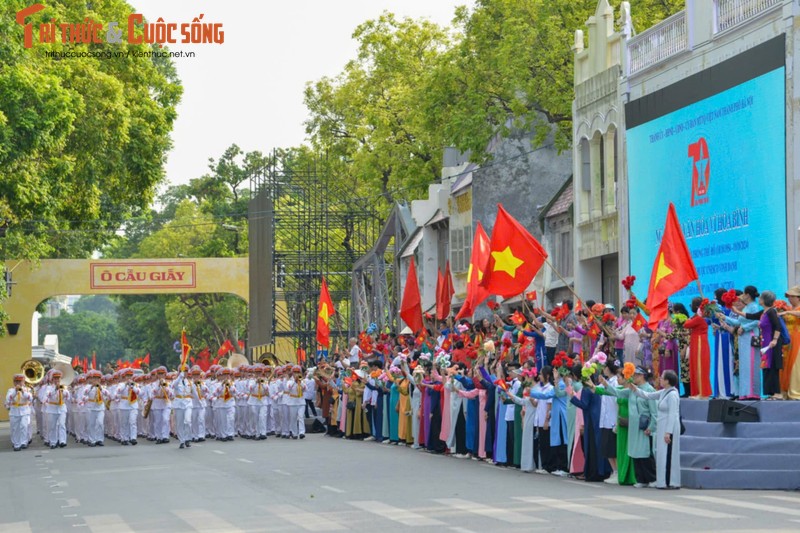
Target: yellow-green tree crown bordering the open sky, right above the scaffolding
{"type": "Point", "coordinates": [369, 119]}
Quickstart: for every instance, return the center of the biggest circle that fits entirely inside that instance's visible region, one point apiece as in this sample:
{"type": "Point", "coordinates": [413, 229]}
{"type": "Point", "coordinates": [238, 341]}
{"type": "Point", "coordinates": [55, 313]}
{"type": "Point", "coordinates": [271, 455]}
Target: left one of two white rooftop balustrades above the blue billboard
{"type": "Point", "coordinates": [658, 43]}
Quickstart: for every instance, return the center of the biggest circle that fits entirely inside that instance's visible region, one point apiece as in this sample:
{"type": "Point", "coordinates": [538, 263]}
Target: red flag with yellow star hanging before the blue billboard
{"type": "Point", "coordinates": [673, 268]}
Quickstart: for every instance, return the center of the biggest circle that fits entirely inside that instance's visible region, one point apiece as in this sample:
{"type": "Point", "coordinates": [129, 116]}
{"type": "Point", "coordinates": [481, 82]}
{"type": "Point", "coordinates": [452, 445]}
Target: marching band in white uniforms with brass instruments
{"type": "Point", "coordinates": [251, 402]}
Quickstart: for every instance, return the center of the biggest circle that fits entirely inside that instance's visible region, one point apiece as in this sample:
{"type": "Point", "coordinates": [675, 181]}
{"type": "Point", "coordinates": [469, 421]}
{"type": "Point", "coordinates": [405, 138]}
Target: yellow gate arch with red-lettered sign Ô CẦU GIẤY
{"type": "Point", "coordinates": [34, 283]}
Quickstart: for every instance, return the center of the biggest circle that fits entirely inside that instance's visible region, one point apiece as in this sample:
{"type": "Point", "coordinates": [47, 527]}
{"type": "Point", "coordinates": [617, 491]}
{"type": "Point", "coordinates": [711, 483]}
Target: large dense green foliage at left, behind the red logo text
{"type": "Point", "coordinates": [82, 140]}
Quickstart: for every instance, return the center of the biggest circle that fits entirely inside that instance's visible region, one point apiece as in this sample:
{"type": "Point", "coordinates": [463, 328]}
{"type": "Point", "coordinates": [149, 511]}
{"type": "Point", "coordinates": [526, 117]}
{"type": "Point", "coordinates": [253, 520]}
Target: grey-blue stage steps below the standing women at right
{"type": "Point", "coordinates": [745, 455]}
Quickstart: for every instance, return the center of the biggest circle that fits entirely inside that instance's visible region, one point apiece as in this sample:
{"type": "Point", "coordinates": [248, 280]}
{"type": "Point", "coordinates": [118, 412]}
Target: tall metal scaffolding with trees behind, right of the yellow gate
{"type": "Point", "coordinates": [318, 229]}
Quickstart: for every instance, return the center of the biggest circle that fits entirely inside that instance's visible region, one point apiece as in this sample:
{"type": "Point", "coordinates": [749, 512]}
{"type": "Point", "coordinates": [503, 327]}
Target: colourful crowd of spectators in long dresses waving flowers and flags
{"type": "Point", "coordinates": [587, 392]}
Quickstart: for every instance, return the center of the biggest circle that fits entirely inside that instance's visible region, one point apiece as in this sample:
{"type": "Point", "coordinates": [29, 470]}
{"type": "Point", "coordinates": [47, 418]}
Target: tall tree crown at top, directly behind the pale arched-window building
{"type": "Point", "coordinates": [512, 68]}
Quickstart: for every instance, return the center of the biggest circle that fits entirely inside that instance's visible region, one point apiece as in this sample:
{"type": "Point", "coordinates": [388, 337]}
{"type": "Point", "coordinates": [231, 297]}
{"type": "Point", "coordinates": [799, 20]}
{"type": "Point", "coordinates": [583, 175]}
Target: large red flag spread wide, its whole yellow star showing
{"type": "Point", "coordinates": [515, 257]}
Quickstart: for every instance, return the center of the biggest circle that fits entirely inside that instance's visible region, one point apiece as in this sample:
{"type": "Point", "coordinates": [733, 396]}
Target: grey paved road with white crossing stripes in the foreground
{"type": "Point", "coordinates": [325, 484]}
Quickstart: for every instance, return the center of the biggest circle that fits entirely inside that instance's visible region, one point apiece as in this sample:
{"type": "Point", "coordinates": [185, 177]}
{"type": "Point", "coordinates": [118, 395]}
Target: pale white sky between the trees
{"type": "Point", "coordinates": [249, 89]}
